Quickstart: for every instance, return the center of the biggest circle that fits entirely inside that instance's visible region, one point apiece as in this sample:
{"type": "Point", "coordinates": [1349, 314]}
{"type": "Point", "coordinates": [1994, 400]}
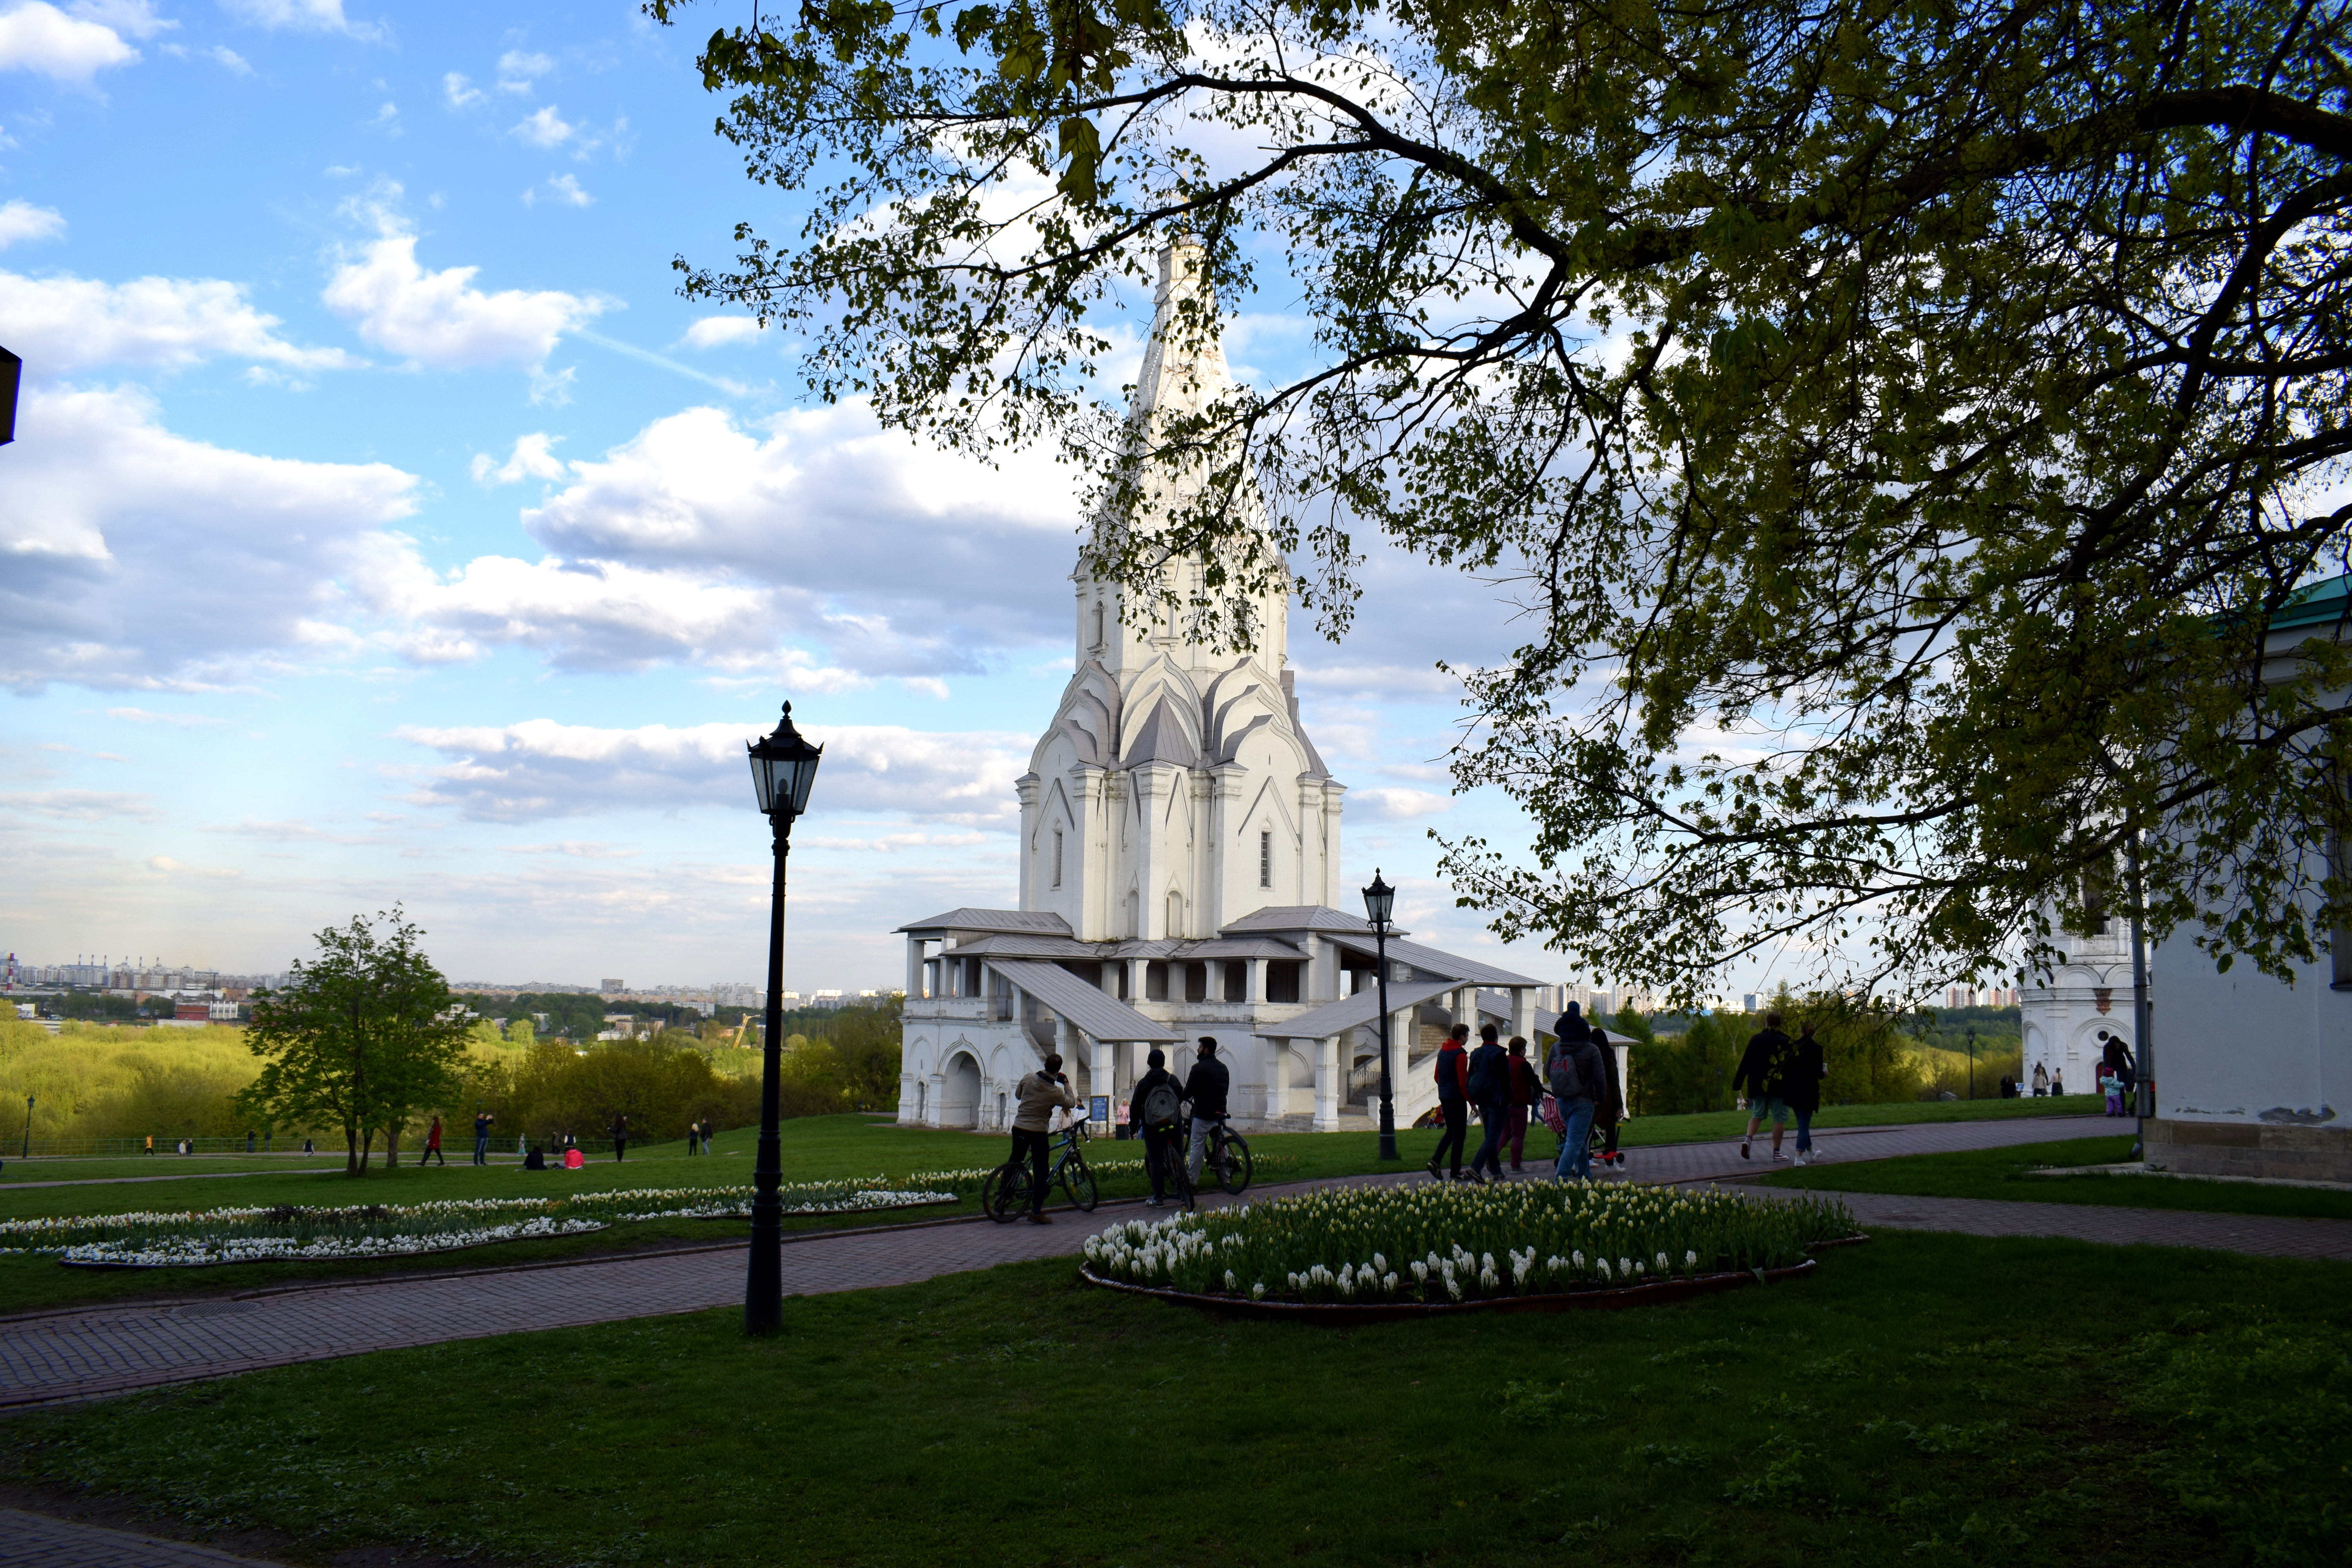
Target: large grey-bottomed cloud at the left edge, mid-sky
{"type": "Point", "coordinates": [147, 561]}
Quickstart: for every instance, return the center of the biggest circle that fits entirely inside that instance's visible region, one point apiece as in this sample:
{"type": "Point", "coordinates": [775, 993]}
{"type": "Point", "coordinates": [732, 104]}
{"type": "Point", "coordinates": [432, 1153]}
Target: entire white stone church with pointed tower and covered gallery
{"type": "Point", "coordinates": [1180, 878]}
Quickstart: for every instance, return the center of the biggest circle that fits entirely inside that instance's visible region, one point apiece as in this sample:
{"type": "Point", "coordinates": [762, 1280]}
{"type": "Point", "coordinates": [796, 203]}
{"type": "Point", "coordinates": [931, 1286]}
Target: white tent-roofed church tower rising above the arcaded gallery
{"type": "Point", "coordinates": [1175, 789]}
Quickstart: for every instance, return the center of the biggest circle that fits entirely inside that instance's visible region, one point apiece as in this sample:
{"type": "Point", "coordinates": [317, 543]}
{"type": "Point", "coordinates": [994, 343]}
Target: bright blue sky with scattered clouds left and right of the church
{"type": "Point", "coordinates": [385, 528]}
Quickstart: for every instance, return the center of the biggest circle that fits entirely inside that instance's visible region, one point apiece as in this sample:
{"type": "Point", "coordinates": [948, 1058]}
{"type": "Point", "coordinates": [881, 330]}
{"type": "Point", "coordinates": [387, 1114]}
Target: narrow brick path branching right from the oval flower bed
{"type": "Point", "coordinates": [2221, 1233]}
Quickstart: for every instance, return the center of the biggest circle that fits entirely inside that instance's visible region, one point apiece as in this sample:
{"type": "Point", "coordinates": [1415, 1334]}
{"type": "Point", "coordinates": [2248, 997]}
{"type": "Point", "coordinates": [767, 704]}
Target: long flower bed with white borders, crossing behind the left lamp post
{"type": "Point", "coordinates": [156, 1240]}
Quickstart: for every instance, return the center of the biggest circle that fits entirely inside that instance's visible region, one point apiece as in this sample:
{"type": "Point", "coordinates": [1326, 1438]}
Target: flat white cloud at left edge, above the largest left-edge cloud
{"type": "Point", "coordinates": [69, 323]}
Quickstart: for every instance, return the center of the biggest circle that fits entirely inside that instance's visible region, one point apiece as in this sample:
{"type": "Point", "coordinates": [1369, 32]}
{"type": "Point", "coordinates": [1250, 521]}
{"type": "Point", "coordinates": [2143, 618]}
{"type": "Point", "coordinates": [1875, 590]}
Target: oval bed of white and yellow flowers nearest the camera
{"type": "Point", "coordinates": [1448, 1245]}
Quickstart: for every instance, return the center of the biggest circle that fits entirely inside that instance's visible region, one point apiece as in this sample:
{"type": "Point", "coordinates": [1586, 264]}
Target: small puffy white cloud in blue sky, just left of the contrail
{"type": "Point", "coordinates": [441, 319]}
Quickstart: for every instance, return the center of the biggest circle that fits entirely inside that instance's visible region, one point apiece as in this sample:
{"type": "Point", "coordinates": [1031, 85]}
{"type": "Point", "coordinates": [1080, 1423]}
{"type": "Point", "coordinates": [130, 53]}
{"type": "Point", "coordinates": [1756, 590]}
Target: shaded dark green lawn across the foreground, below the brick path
{"type": "Point", "coordinates": [1923, 1400]}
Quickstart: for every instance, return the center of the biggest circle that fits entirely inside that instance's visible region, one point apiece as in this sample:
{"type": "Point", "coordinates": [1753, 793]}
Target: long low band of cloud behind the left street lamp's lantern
{"type": "Point", "coordinates": [542, 770]}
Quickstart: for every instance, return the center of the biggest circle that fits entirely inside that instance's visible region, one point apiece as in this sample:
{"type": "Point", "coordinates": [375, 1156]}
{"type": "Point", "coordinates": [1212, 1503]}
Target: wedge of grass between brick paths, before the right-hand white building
{"type": "Point", "coordinates": [2003, 1174]}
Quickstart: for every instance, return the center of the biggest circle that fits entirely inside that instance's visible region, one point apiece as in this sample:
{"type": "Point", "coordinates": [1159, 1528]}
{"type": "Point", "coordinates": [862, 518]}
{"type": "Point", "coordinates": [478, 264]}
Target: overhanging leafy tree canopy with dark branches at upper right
{"type": "Point", "coordinates": [1899, 420]}
